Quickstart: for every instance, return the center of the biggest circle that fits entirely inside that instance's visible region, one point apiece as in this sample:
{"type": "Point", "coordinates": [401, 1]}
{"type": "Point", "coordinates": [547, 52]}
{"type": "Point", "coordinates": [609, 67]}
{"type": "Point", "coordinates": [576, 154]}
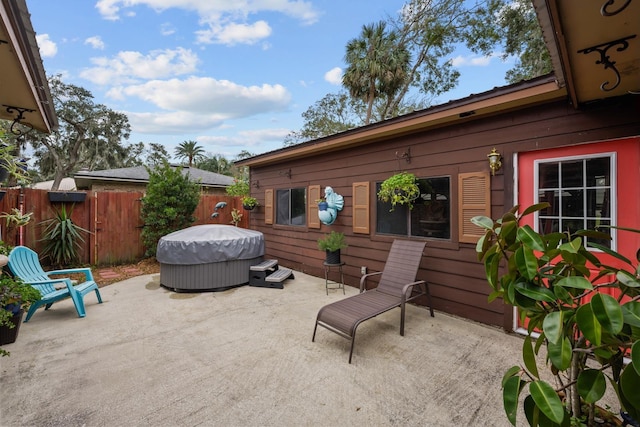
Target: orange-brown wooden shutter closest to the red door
{"type": "Point", "coordinates": [474, 193]}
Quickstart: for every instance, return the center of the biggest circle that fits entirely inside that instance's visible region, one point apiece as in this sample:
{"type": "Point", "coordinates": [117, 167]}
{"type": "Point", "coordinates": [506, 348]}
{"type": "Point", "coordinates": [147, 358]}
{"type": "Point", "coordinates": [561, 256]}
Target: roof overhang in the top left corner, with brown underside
{"type": "Point", "coordinates": [24, 91]}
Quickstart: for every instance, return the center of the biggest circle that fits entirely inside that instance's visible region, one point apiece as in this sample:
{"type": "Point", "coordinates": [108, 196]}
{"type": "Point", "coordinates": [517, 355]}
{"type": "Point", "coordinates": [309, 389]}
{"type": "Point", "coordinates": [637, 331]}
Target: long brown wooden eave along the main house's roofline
{"type": "Point", "coordinates": [496, 101]}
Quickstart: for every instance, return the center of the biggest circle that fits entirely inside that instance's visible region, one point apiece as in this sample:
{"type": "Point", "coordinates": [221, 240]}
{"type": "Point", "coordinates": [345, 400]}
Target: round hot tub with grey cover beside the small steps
{"type": "Point", "coordinates": [209, 257]}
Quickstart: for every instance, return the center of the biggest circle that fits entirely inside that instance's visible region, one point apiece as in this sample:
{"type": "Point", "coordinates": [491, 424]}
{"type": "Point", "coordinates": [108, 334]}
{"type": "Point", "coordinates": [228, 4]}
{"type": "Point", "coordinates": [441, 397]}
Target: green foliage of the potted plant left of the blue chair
{"type": "Point", "coordinates": [15, 295]}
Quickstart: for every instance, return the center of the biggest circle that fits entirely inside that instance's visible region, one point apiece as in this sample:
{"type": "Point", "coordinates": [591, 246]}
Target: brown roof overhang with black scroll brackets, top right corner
{"type": "Point", "coordinates": [594, 46]}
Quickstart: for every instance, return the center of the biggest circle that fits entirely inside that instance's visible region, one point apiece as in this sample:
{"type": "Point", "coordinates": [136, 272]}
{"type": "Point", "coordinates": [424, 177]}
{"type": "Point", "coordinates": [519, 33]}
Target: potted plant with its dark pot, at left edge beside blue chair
{"type": "Point", "coordinates": [15, 297]}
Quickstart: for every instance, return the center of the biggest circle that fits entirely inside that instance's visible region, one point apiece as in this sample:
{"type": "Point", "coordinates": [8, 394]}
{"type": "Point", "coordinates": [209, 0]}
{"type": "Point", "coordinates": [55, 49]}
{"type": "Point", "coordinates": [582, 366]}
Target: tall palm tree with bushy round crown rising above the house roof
{"type": "Point", "coordinates": [377, 64]}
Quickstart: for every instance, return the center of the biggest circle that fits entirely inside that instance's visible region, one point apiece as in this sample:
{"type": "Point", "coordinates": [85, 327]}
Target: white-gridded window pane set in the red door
{"type": "Point", "coordinates": [579, 192]}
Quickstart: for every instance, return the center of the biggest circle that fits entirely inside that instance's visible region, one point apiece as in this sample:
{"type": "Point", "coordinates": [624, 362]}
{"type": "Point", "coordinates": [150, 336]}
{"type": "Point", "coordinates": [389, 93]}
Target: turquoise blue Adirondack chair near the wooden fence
{"type": "Point", "coordinates": [24, 263]}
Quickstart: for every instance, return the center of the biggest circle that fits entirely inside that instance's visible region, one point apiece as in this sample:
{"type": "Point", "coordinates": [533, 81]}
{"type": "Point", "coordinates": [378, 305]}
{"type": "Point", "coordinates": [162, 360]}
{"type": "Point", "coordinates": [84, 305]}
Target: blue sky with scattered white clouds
{"type": "Point", "coordinates": [233, 75]}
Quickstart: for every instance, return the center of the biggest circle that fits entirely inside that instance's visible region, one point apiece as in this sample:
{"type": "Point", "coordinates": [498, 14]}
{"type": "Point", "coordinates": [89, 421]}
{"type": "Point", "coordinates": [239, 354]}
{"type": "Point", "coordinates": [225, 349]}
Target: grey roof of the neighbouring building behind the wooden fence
{"type": "Point", "coordinates": [139, 175]}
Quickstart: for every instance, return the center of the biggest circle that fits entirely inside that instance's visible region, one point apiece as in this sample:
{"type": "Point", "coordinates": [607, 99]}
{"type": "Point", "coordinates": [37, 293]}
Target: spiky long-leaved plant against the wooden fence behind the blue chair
{"type": "Point", "coordinates": [63, 238]}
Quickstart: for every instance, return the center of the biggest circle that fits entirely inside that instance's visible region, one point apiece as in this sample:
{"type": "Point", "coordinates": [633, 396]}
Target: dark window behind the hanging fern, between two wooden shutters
{"type": "Point", "coordinates": [430, 216]}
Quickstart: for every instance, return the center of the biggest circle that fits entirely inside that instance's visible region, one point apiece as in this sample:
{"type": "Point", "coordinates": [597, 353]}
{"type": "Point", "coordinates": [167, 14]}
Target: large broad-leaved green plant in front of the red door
{"type": "Point", "coordinates": [587, 334]}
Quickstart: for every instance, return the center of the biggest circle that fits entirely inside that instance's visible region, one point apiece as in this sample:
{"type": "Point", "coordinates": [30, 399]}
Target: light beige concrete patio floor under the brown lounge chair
{"type": "Point", "coordinates": [244, 357]}
